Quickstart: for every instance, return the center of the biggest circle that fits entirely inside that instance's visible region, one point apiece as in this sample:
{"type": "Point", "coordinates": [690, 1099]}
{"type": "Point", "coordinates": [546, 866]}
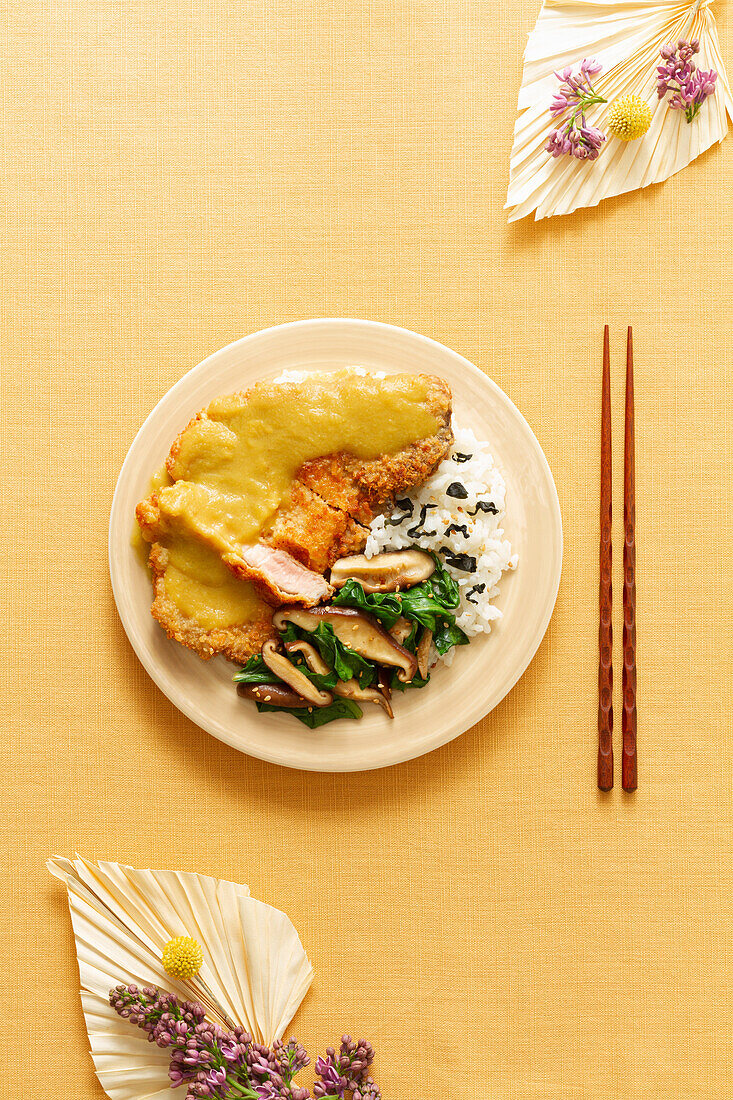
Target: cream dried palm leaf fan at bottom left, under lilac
{"type": "Point", "coordinates": [255, 974]}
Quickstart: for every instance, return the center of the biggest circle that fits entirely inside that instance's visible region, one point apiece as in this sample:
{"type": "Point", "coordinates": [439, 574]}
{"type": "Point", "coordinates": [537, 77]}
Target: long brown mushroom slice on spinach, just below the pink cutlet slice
{"type": "Point", "coordinates": [356, 631]}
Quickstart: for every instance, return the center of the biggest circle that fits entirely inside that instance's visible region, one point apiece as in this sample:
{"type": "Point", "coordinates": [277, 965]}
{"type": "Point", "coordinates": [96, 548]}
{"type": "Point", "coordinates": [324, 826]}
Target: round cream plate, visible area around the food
{"type": "Point", "coordinates": [483, 674]}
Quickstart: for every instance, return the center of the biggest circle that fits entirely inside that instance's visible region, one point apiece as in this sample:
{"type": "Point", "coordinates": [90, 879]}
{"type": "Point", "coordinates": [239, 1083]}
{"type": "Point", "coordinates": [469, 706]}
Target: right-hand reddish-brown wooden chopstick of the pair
{"type": "Point", "coordinates": [629, 676]}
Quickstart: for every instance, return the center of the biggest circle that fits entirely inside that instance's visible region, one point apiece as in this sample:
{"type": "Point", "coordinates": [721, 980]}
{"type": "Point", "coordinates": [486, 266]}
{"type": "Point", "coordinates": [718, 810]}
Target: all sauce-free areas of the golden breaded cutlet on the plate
{"type": "Point", "coordinates": [322, 518]}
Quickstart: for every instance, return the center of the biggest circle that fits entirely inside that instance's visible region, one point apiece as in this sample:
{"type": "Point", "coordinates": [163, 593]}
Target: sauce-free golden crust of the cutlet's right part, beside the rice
{"type": "Point", "coordinates": [363, 487]}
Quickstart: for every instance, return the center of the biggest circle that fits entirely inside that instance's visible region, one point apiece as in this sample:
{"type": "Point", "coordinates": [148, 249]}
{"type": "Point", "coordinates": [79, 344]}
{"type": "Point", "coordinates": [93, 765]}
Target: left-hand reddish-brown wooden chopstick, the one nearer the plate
{"type": "Point", "coordinates": [606, 630]}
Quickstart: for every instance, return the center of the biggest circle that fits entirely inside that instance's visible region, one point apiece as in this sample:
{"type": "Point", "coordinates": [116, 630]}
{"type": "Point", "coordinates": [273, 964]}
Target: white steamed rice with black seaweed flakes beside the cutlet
{"type": "Point", "coordinates": [478, 552]}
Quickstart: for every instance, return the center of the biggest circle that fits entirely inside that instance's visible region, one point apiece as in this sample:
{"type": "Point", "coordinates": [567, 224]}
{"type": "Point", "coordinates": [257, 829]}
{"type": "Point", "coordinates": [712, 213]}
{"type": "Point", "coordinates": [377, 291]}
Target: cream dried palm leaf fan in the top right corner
{"type": "Point", "coordinates": [627, 38]}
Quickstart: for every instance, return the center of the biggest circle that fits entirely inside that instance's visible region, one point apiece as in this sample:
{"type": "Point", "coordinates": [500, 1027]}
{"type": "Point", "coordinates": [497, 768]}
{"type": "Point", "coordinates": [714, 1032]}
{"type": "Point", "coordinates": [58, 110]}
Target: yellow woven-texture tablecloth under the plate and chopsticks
{"type": "Point", "coordinates": [184, 172]}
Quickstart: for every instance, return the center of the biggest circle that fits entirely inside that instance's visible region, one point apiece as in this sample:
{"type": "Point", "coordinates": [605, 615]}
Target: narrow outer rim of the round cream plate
{"type": "Point", "coordinates": [183, 705]}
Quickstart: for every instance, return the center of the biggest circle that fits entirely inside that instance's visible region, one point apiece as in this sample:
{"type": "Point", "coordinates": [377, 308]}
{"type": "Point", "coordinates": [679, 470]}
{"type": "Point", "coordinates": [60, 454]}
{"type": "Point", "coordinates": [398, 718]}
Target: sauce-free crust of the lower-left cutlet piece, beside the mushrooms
{"type": "Point", "coordinates": [238, 642]}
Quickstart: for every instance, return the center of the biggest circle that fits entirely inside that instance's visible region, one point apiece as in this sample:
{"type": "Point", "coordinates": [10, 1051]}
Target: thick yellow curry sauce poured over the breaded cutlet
{"type": "Point", "coordinates": [234, 468]}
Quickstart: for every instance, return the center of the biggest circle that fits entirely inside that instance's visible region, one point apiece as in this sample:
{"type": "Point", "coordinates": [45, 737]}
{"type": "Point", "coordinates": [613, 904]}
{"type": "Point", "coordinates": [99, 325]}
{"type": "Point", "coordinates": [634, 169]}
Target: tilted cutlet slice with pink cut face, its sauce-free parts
{"type": "Point", "coordinates": [276, 575]}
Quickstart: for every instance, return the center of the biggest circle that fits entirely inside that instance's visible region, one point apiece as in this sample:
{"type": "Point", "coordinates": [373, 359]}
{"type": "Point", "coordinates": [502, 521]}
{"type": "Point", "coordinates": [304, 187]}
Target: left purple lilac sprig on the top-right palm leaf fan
{"type": "Point", "coordinates": [574, 137]}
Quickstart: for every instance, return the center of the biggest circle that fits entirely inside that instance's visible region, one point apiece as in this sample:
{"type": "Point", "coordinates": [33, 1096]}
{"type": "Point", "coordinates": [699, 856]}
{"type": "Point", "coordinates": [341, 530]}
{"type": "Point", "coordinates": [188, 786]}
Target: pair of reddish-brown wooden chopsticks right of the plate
{"type": "Point", "coordinates": [606, 631]}
